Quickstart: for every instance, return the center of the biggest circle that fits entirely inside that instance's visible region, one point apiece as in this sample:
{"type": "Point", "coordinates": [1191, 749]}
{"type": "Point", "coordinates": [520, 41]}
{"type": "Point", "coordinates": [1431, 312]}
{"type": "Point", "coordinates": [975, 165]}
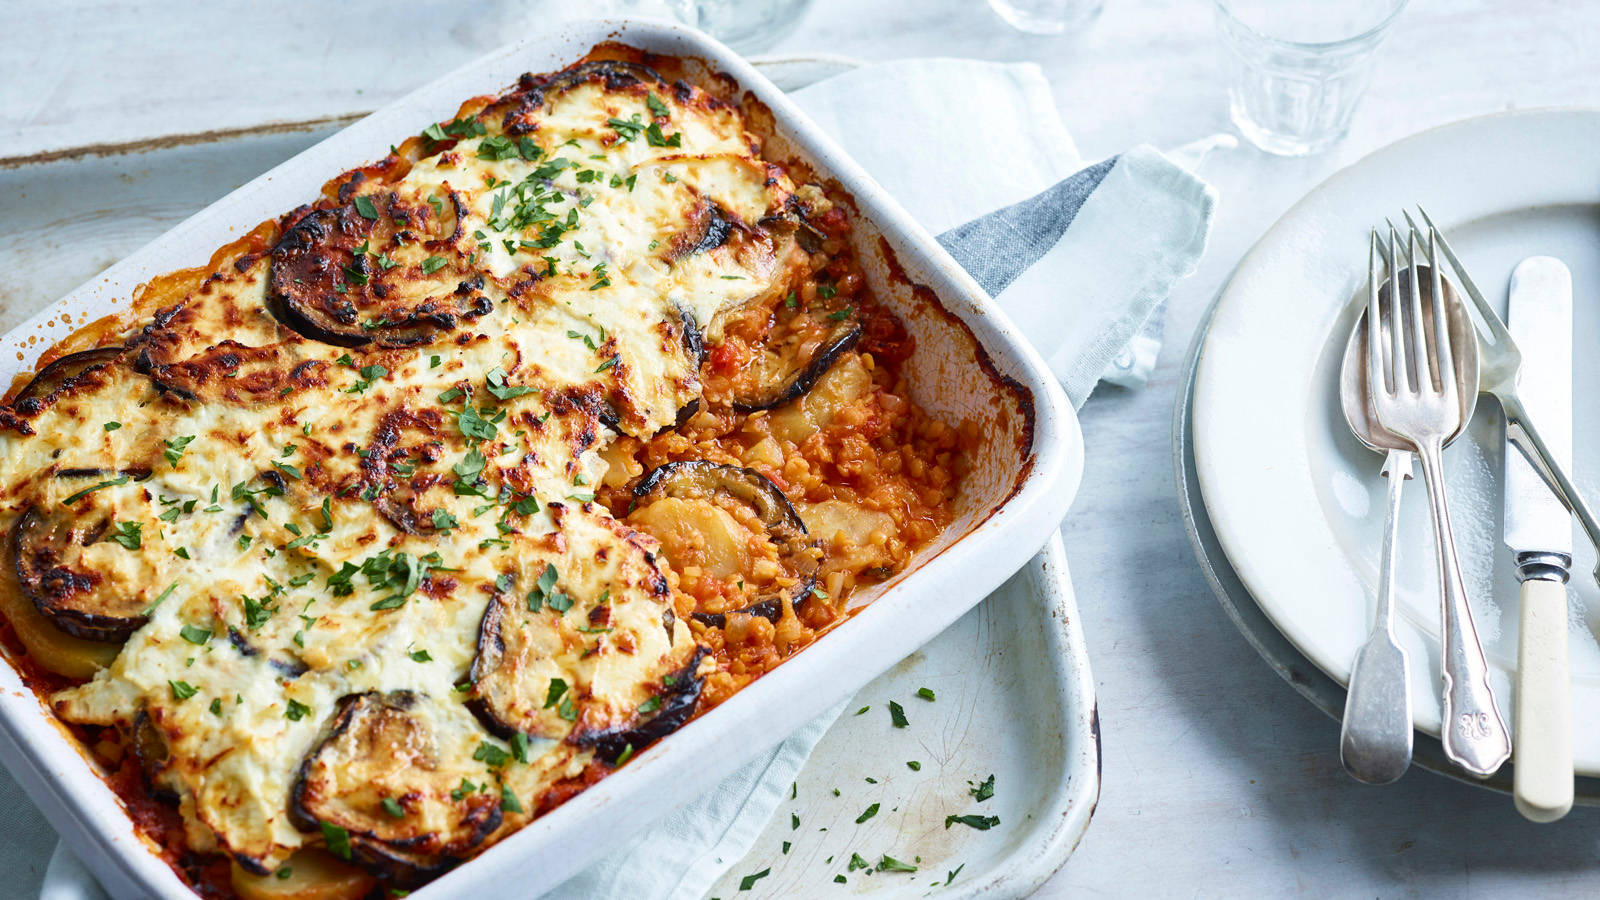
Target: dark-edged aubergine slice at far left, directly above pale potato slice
{"type": "Point", "coordinates": [47, 553]}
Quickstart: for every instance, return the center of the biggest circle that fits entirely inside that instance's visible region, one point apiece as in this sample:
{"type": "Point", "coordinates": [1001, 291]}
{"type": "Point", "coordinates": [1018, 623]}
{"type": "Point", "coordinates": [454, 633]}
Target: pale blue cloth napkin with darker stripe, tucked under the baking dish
{"type": "Point", "coordinates": [1081, 259]}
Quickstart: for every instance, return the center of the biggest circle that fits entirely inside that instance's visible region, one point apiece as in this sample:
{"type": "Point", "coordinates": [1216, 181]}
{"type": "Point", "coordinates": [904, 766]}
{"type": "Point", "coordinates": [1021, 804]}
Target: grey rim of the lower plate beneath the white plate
{"type": "Point", "coordinates": [1254, 624]}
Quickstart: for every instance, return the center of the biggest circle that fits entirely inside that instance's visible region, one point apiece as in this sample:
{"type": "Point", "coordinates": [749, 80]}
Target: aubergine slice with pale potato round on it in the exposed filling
{"type": "Point", "coordinates": [695, 507]}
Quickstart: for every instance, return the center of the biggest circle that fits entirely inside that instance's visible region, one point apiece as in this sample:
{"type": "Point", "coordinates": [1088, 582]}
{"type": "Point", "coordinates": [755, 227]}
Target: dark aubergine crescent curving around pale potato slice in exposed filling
{"type": "Point", "coordinates": [785, 528]}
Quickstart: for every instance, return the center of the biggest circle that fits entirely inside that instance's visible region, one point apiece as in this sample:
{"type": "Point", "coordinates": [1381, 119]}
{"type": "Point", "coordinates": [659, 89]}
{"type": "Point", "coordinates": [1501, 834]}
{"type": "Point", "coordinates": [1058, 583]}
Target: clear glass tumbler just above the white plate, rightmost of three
{"type": "Point", "coordinates": [1297, 70]}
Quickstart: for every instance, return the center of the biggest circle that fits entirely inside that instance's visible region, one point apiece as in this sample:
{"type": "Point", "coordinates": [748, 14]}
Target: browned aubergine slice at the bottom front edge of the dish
{"type": "Point", "coordinates": [380, 749]}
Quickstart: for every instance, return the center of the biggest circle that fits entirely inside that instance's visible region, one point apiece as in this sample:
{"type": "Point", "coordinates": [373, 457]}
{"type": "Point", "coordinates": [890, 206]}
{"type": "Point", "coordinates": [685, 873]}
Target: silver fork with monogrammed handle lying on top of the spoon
{"type": "Point", "coordinates": [1415, 398]}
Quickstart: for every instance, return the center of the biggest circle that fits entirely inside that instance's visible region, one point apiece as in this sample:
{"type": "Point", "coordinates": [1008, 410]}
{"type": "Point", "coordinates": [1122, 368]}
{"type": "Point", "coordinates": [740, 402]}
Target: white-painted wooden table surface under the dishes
{"type": "Point", "coordinates": [1218, 779]}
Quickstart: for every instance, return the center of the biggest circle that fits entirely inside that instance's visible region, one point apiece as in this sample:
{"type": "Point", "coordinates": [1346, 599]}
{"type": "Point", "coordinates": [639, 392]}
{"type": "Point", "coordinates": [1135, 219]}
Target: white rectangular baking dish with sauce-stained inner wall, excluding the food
{"type": "Point", "coordinates": [970, 364]}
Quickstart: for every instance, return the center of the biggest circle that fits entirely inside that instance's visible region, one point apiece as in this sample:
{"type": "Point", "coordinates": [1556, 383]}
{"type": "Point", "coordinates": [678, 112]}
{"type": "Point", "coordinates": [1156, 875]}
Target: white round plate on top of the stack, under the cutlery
{"type": "Point", "coordinates": [1297, 500]}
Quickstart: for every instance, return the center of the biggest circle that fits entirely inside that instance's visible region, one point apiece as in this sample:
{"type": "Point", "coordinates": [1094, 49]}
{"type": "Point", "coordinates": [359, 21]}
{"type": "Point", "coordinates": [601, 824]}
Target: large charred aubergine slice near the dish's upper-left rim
{"type": "Point", "coordinates": [396, 279]}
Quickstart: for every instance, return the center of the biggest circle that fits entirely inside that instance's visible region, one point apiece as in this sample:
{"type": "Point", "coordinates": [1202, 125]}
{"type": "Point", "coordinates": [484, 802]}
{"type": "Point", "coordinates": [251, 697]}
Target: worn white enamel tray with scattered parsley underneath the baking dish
{"type": "Point", "coordinates": [1015, 701]}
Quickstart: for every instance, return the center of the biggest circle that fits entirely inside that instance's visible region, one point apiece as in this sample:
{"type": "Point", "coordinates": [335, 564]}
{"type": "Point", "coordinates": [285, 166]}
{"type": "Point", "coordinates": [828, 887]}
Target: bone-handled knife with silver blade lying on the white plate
{"type": "Point", "coordinates": [1540, 534]}
